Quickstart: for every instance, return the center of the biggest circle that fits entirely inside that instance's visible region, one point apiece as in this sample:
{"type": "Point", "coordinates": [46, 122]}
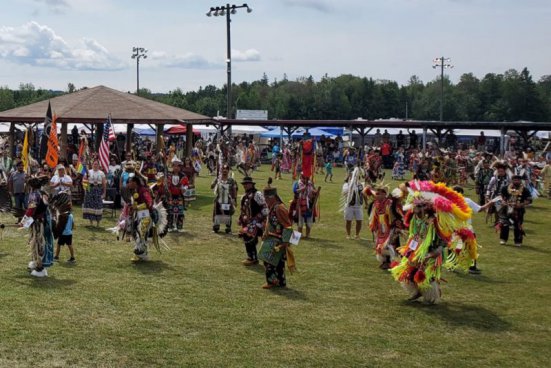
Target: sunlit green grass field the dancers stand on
{"type": "Point", "coordinates": [195, 305]}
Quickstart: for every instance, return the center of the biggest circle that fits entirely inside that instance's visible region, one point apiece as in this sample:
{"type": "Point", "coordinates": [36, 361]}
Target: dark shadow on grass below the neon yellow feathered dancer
{"type": "Point", "coordinates": [462, 315]}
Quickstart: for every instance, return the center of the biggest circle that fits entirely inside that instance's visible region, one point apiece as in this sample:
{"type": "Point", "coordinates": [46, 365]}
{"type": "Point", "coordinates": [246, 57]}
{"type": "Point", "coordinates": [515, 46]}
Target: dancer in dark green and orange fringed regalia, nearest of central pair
{"type": "Point", "coordinates": [275, 249]}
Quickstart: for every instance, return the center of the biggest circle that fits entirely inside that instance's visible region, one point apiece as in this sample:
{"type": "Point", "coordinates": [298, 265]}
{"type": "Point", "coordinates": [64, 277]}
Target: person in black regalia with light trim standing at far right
{"type": "Point", "coordinates": [515, 198]}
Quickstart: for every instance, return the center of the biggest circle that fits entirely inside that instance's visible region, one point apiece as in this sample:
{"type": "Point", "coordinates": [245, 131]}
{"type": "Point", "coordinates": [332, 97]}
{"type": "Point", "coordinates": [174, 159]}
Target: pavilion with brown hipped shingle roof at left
{"type": "Point", "coordinates": [92, 106]}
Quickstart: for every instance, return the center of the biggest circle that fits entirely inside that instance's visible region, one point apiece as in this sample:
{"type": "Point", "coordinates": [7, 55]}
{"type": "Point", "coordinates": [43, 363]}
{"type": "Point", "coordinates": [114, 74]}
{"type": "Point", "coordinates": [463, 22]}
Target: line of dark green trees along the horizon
{"type": "Point", "coordinates": [510, 96]}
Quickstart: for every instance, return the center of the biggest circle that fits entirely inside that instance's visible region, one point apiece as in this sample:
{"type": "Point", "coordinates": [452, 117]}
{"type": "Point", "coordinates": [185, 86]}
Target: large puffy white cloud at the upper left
{"type": "Point", "coordinates": [37, 45]}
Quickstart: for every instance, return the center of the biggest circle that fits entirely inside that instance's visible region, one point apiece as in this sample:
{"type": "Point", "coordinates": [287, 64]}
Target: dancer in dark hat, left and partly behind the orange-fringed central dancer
{"type": "Point", "coordinates": [251, 219]}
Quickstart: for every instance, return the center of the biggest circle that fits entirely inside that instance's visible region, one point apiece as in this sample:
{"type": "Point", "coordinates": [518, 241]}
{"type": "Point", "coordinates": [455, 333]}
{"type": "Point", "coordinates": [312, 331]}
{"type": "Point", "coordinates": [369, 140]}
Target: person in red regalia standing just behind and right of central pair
{"type": "Point", "coordinates": [305, 202]}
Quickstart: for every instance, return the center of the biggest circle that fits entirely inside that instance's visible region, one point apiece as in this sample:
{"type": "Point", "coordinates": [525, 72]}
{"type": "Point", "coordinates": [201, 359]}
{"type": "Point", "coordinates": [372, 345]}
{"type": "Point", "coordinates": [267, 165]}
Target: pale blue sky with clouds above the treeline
{"type": "Point", "coordinates": [89, 42]}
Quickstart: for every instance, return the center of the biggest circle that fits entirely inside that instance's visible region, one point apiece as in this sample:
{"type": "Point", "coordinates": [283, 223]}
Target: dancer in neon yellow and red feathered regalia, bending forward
{"type": "Point", "coordinates": [439, 235]}
